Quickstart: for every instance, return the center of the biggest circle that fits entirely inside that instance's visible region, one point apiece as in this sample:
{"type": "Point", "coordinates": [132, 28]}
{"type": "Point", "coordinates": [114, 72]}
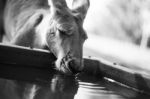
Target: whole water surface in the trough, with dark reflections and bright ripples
{"type": "Point", "coordinates": [30, 83]}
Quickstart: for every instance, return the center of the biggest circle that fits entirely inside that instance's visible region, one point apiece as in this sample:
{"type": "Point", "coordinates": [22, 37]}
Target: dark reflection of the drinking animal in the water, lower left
{"type": "Point", "coordinates": [60, 87]}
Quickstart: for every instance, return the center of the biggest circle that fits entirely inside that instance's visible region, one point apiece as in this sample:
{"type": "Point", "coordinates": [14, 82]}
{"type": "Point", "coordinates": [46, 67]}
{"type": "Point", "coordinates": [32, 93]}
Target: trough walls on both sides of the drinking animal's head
{"type": "Point", "coordinates": [35, 58]}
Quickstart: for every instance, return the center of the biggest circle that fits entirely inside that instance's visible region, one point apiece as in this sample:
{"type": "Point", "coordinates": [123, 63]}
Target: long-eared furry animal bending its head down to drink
{"type": "Point", "coordinates": [48, 23]}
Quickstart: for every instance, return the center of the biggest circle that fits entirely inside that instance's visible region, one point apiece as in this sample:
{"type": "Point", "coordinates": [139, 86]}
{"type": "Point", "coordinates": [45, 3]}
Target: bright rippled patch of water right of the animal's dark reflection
{"type": "Point", "coordinates": [95, 89]}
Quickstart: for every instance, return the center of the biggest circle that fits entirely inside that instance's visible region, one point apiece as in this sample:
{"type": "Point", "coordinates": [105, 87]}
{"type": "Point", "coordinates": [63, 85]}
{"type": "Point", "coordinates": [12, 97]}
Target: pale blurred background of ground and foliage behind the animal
{"type": "Point", "coordinates": [119, 31]}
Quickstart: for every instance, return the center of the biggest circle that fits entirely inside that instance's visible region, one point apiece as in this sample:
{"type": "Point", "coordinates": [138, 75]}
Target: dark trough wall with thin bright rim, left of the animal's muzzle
{"type": "Point", "coordinates": [25, 56]}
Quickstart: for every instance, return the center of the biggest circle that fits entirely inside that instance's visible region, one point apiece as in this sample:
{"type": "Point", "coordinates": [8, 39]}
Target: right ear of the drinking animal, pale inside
{"type": "Point", "coordinates": [80, 7]}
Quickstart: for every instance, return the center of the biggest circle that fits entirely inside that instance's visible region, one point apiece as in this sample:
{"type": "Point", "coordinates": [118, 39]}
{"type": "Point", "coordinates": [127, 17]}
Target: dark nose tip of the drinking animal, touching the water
{"type": "Point", "coordinates": [74, 66]}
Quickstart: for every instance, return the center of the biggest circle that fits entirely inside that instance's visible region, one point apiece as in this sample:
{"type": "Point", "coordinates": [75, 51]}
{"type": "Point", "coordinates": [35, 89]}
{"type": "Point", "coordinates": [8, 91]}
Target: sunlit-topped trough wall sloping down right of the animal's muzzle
{"type": "Point", "coordinates": [123, 75]}
